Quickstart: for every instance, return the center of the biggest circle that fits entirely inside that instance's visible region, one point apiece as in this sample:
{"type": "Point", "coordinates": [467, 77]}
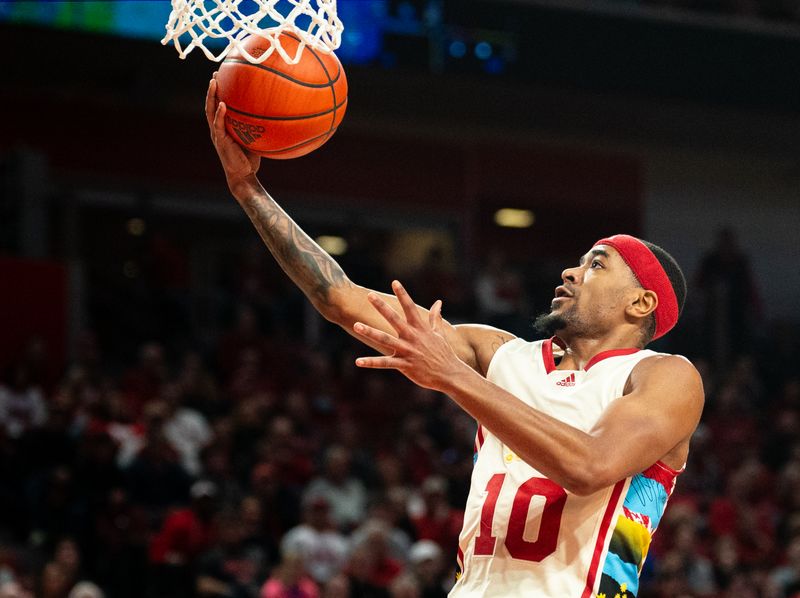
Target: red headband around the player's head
{"type": "Point", "coordinates": [651, 276]}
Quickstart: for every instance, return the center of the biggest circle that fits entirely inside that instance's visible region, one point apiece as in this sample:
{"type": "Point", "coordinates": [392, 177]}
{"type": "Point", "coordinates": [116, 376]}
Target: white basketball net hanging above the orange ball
{"type": "Point", "coordinates": [215, 21]}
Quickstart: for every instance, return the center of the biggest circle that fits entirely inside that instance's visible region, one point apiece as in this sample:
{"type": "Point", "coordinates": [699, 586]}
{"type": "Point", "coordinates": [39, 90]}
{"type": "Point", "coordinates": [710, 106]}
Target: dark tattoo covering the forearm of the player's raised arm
{"type": "Point", "coordinates": [306, 263]}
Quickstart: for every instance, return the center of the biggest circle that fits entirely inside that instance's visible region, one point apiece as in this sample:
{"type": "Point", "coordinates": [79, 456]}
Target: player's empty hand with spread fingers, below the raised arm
{"type": "Point", "coordinates": [419, 351]}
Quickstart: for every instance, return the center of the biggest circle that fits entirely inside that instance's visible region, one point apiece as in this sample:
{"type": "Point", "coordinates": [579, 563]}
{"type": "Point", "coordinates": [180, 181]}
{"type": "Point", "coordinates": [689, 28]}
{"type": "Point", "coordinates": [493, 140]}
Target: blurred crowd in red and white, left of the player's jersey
{"type": "Point", "coordinates": [278, 472]}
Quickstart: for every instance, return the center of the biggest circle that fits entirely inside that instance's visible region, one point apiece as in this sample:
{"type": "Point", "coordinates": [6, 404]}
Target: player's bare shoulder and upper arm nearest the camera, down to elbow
{"type": "Point", "coordinates": [660, 412]}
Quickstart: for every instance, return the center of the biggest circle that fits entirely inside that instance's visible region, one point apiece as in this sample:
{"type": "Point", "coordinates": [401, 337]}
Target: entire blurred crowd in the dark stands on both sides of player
{"type": "Point", "coordinates": [263, 465]}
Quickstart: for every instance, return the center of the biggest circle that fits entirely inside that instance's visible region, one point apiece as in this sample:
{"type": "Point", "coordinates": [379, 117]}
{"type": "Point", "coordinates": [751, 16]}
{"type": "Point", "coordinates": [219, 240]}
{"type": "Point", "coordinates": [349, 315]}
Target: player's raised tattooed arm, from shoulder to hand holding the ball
{"type": "Point", "coordinates": [315, 272]}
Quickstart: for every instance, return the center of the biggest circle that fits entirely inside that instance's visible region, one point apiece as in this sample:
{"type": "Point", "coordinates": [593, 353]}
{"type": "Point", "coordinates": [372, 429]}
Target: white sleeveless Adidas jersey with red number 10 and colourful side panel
{"type": "Point", "coordinates": [523, 534]}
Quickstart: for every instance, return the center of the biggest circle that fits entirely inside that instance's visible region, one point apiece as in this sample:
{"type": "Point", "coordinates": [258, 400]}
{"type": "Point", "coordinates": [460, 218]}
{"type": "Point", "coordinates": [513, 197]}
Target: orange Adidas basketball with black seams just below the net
{"type": "Point", "coordinates": [279, 110]}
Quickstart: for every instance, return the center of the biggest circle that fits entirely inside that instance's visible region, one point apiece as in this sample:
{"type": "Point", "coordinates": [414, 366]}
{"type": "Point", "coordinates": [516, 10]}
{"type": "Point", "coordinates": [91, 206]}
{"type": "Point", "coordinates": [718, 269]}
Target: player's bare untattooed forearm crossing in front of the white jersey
{"type": "Point", "coordinates": [564, 454]}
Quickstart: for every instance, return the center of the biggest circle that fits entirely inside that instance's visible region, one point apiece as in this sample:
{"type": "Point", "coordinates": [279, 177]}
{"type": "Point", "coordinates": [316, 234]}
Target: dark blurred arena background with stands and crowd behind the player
{"type": "Point", "coordinates": [148, 341]}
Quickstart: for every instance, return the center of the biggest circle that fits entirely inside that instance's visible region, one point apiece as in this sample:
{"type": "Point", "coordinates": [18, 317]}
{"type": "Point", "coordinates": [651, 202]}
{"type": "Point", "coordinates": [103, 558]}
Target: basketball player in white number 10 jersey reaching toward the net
{"type": "Point", "coordinates": [580, 437]}
